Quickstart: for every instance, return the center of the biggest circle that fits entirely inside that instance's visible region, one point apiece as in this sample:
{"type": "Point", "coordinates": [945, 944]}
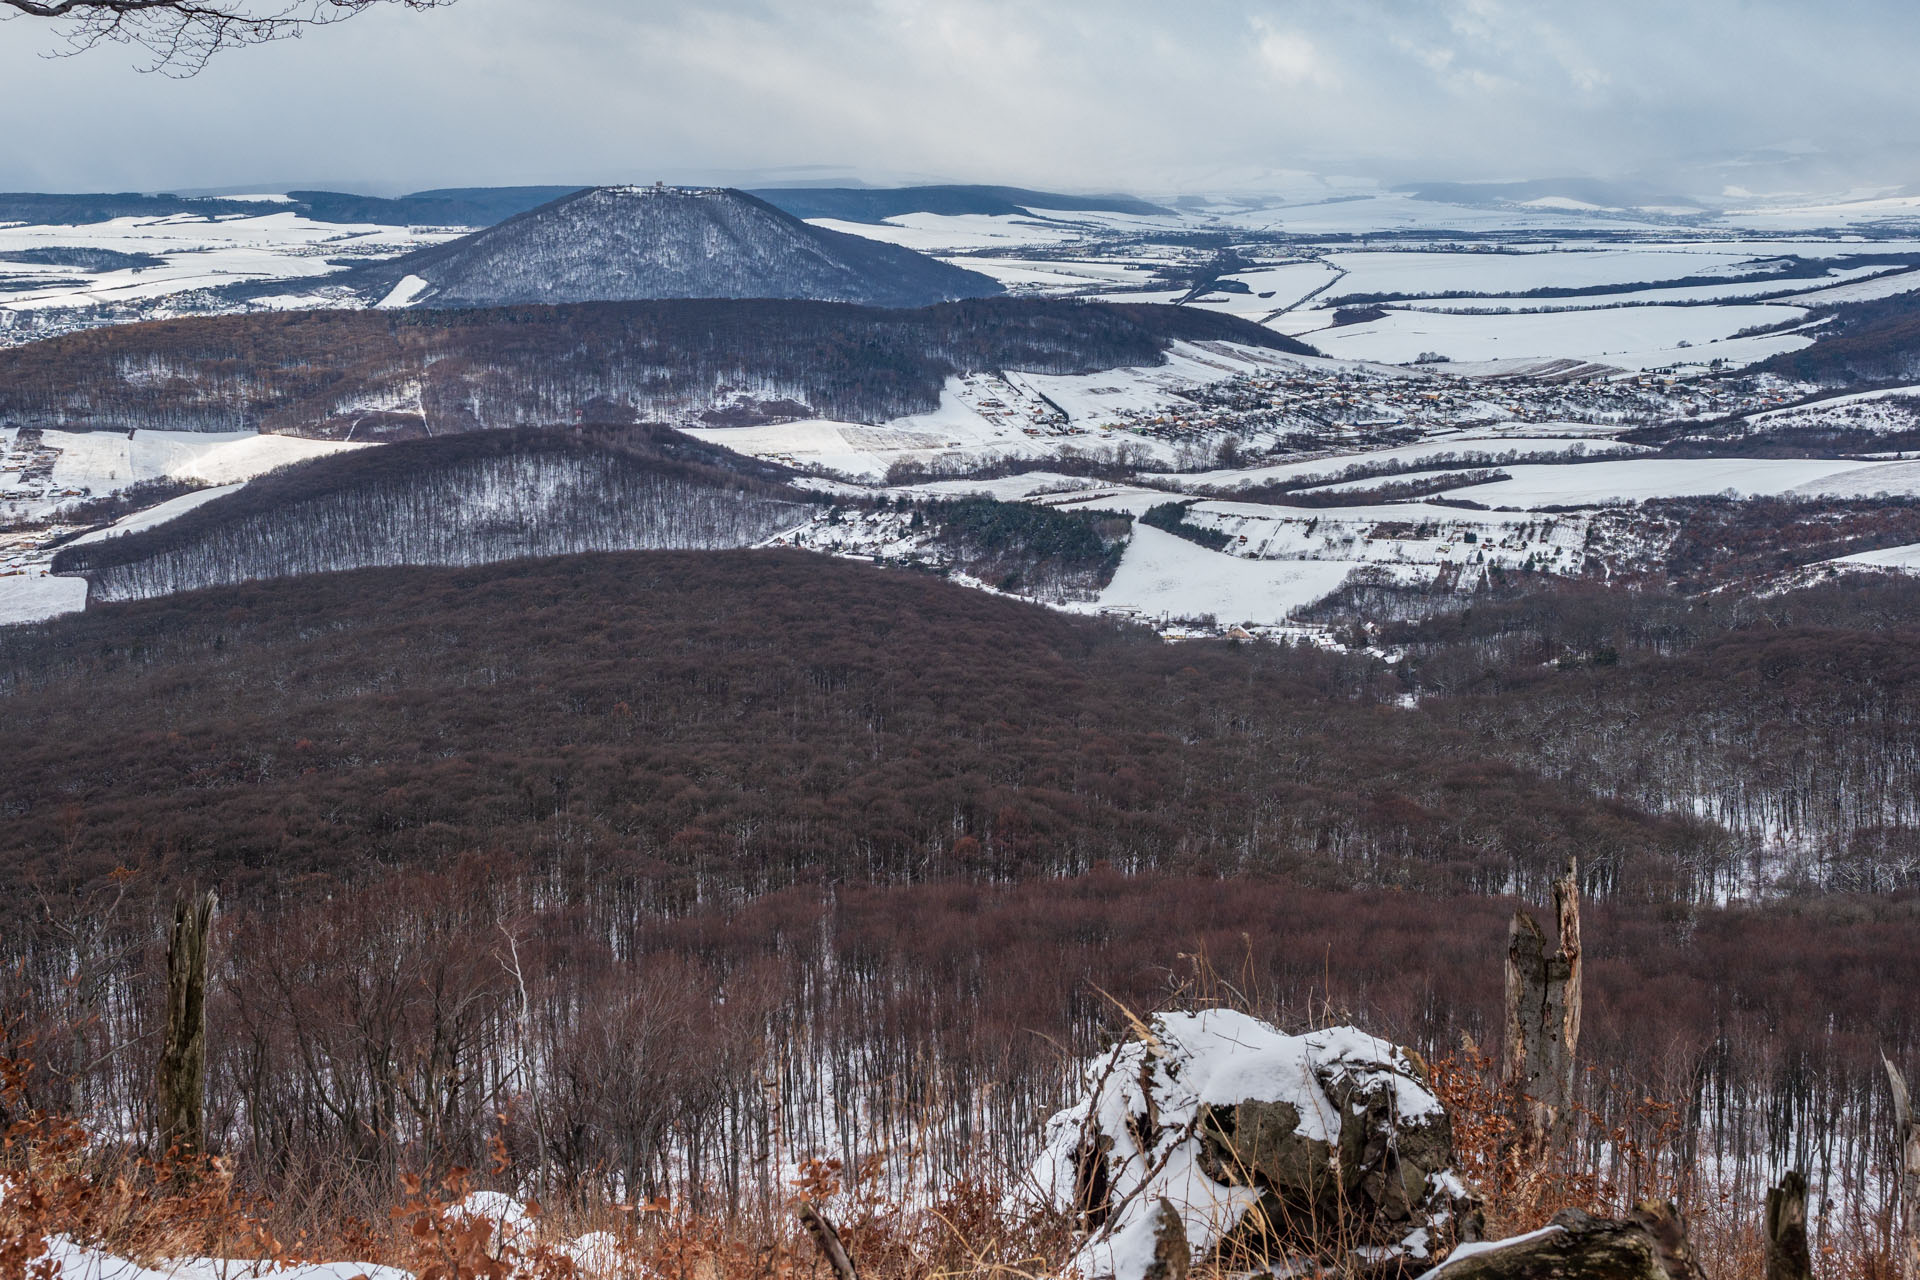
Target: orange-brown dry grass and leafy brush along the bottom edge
{"type": "Point", "coordinates": [62, 1181]}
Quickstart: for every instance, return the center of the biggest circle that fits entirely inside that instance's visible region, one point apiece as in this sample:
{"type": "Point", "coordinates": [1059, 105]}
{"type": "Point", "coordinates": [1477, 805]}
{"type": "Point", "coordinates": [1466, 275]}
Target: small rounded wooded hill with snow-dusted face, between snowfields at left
{"type": "Point", "coordinates": [456, 500]}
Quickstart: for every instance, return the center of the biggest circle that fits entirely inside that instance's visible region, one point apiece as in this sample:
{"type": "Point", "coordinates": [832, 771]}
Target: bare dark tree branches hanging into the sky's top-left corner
{"type": "Point", "coordinates": [183, 34]}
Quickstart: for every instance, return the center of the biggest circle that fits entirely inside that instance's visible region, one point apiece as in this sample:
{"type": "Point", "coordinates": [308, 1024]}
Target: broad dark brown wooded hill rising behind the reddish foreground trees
{"type": "Point", "coordinates": [742, 721]}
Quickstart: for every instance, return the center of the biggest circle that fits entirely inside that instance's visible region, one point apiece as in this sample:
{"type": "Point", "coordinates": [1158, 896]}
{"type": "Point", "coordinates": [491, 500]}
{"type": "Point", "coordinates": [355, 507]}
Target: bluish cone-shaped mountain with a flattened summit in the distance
{"type": "Point", "coordinates": [644, 243]}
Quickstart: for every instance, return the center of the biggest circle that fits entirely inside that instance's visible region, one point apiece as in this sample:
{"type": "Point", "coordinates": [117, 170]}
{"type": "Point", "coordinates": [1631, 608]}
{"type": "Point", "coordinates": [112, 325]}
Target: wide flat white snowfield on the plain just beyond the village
{"type": "Point", "coordinates": [1625, 337]}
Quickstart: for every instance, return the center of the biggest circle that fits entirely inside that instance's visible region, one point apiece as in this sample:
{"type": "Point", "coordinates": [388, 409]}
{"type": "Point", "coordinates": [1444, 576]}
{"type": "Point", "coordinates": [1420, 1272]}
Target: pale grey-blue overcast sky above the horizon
{"type": "Point", "coordinates": [1074, 95]}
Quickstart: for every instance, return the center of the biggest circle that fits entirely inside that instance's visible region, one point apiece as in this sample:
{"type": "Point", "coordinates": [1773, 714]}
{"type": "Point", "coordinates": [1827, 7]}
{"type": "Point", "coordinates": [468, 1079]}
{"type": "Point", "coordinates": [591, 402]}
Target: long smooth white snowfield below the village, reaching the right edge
{"type": "Point", "coordinates": [1641, 481]}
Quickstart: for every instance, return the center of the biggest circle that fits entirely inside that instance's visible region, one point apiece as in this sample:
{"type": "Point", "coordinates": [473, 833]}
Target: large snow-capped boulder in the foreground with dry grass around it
{"type": "Point", "coordinates": [1266, 1147]}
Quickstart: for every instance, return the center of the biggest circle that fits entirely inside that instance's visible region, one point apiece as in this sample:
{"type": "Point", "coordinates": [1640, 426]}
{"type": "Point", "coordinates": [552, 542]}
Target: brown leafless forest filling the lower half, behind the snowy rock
{"type": "Point", "coordinates": [654, 874]}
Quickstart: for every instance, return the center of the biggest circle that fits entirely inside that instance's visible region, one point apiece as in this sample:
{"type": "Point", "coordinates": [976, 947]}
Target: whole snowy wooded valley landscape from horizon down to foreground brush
{"type": "Point", "coordinates": [742, 663]}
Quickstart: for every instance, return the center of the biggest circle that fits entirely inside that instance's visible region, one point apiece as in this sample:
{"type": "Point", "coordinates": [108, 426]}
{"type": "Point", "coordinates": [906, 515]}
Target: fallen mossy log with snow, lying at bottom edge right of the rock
{"type": "Point", "coordinates": [1648, 1246]}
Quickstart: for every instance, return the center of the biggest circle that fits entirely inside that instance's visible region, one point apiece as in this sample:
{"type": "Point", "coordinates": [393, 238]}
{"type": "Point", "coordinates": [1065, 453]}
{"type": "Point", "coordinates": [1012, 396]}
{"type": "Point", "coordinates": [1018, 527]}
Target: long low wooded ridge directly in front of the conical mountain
{"type": "Point", "coordinates": [391, 375]}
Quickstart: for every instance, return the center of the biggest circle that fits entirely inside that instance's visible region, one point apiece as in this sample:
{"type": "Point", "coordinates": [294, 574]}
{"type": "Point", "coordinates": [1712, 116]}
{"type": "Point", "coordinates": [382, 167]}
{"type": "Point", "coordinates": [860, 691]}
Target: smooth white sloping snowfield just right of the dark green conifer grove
{"type": "Point", "coordinates": [1166, 577]}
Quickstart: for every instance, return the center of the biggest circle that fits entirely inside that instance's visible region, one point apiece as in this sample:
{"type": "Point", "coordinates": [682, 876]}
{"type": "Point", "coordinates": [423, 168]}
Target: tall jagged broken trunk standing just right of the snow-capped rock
{"type": "Point", "coordinates": [1545, 1016]}
